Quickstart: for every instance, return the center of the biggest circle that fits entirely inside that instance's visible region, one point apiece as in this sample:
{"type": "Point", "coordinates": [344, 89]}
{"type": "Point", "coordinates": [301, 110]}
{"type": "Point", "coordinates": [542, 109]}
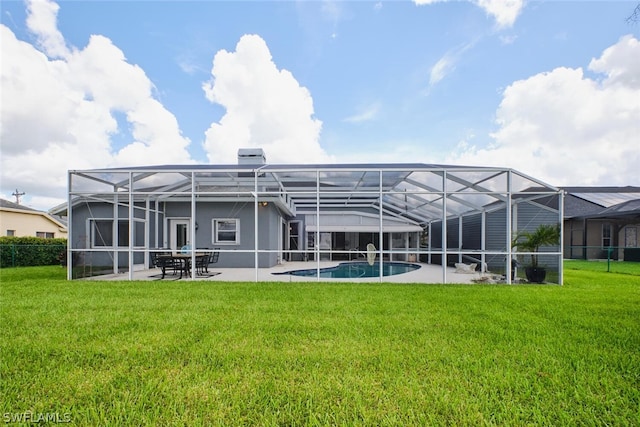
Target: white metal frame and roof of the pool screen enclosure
{"type": "Point", "coordinates": [421, 194]}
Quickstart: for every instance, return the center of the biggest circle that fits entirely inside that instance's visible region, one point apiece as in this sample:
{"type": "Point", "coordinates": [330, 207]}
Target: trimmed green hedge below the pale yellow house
{"type": "Point", "coordinates": [30, 251]}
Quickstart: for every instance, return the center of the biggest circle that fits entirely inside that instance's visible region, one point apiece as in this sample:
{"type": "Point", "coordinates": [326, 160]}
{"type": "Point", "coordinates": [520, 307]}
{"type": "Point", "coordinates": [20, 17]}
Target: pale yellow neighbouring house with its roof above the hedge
{"type": "Point", "coordinates": [21, 221]}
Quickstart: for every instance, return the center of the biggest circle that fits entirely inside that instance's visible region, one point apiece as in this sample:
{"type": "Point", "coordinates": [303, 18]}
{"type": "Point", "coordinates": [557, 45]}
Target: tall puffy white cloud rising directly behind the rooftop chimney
{"type": "Point", "coordinates": [265, 107]}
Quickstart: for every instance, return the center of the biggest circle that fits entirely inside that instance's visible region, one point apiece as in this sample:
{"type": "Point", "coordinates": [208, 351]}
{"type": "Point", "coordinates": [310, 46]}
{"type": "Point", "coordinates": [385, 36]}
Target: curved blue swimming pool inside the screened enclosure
{"type": "Point", "coordinates": [354, 270]}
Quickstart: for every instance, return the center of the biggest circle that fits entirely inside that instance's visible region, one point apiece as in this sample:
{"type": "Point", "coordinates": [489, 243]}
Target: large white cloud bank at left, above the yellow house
{"type": "Point", "coordinates": [58, 106]}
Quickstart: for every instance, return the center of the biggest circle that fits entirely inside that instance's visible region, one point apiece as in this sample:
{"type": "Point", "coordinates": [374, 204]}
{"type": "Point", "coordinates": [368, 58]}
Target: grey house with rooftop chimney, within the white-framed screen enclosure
{"type": "Point", "coordinates": [259, 215]}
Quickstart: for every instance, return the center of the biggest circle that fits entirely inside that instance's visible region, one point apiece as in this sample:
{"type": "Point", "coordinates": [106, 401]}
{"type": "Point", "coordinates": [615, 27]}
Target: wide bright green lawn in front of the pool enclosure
{"type": "Point", "coordinates": [204, 353]}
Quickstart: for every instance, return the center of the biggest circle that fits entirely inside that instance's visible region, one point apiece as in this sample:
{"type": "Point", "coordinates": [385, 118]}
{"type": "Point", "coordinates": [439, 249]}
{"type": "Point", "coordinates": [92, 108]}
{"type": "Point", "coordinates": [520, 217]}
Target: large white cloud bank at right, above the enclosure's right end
{"type": "Point", "coordinates": [567, 129]}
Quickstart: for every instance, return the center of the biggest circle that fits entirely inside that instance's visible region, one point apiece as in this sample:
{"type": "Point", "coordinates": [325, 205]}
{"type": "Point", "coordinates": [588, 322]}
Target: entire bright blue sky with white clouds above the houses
{"type": "Point", "coordinates": [550, 88]}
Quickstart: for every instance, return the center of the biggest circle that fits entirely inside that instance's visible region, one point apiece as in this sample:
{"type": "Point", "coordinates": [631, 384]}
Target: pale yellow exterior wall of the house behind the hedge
{"type": "Point", "coordinates": [28, 224]}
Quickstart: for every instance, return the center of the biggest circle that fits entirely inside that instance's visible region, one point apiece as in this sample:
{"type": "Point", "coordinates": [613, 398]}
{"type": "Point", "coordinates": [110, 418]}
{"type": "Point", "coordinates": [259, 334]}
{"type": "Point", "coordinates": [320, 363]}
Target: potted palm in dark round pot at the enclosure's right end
{"type": "Point", "coordinates": [531, 241]}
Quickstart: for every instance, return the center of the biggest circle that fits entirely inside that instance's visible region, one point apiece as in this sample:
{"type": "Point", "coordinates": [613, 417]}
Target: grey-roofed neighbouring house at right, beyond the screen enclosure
{"type": "Point", "coordinates": [602, 222]}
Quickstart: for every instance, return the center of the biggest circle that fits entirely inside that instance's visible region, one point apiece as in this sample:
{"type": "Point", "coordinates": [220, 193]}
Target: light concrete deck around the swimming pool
{"type": "Point", "coordinates": [428, 273]}
